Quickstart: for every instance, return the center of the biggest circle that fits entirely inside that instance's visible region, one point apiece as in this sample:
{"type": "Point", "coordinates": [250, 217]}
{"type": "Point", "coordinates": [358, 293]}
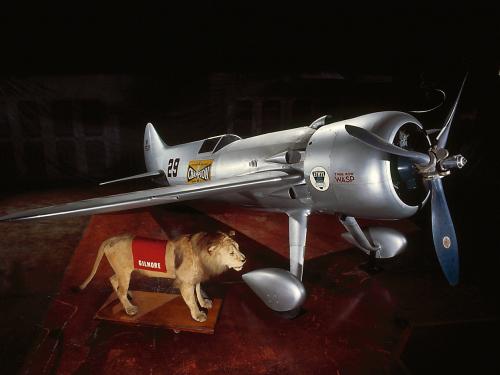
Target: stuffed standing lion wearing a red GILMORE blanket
{"type": "Point", "coordinates": [189, 260]}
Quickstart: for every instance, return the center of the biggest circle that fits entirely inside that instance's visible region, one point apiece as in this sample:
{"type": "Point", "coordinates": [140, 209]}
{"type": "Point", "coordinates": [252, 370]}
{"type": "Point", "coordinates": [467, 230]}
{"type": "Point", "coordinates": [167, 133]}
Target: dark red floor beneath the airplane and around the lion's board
{"type": "Point", "coordinates": [353, 323]}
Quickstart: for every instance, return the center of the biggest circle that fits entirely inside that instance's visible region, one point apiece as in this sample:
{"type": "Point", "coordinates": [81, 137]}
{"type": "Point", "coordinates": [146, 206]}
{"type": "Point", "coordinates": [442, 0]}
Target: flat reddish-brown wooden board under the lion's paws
{"type": "Point", "coordinates": [159, 310]}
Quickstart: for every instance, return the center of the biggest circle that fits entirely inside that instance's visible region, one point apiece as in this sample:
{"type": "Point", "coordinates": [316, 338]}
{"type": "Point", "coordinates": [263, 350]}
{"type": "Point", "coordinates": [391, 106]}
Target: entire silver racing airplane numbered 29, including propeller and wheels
{"type": "Point", "coordinates": [377, 166]}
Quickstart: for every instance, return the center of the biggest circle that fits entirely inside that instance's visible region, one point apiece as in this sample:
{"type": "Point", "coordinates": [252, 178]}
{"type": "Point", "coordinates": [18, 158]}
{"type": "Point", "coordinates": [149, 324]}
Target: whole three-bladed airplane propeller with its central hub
{"type": "Point", "coordinates": [433, 167]}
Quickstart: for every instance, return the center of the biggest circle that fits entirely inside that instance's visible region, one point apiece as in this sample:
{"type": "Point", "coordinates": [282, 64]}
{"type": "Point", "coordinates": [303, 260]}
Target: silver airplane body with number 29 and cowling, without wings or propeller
{"type": "Point", "coordinates": [341, 175]}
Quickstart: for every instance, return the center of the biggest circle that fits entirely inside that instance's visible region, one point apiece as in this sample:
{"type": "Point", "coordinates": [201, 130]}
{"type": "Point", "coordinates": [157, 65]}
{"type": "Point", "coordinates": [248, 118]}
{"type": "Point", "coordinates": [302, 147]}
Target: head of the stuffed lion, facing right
{"type": "Point", "coordinates": [225, 251]}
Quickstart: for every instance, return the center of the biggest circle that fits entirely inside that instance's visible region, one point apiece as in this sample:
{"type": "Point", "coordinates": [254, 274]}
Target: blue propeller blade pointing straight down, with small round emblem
{"type": "Point", "coordinates": [443, 233]}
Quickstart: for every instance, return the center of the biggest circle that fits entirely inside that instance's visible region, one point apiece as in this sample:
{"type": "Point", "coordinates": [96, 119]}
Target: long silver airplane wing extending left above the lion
{"type": "Point", "coordinates": [152, 197]}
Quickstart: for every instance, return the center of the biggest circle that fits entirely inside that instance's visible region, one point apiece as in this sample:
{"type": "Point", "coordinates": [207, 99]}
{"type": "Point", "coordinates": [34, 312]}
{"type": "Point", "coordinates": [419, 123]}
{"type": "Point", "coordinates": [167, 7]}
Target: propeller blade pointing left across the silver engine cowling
{"type": "Point", "coordinates": [381, 144]}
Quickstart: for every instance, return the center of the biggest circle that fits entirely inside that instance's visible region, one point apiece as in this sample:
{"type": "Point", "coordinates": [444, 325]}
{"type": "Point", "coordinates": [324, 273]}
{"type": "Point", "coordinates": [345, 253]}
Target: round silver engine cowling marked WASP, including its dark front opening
{"type": "Point", "coordinates": [345, 176]}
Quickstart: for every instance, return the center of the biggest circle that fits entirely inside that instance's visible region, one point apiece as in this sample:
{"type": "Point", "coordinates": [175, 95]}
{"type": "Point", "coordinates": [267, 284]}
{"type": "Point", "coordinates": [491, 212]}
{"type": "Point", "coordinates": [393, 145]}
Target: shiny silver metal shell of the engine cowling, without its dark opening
{"type": "Point", "coordinates": [360, 177]}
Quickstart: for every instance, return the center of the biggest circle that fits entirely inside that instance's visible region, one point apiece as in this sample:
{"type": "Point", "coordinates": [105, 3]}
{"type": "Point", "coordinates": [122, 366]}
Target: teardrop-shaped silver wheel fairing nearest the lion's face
{"type": "Point", "coordinates": [277, 288]}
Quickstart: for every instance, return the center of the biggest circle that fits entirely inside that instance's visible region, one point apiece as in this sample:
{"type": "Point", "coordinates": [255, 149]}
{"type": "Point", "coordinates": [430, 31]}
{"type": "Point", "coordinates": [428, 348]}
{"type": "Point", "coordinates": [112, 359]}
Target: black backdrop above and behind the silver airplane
{"type": "Point", "coordinates": [78, 83]}
